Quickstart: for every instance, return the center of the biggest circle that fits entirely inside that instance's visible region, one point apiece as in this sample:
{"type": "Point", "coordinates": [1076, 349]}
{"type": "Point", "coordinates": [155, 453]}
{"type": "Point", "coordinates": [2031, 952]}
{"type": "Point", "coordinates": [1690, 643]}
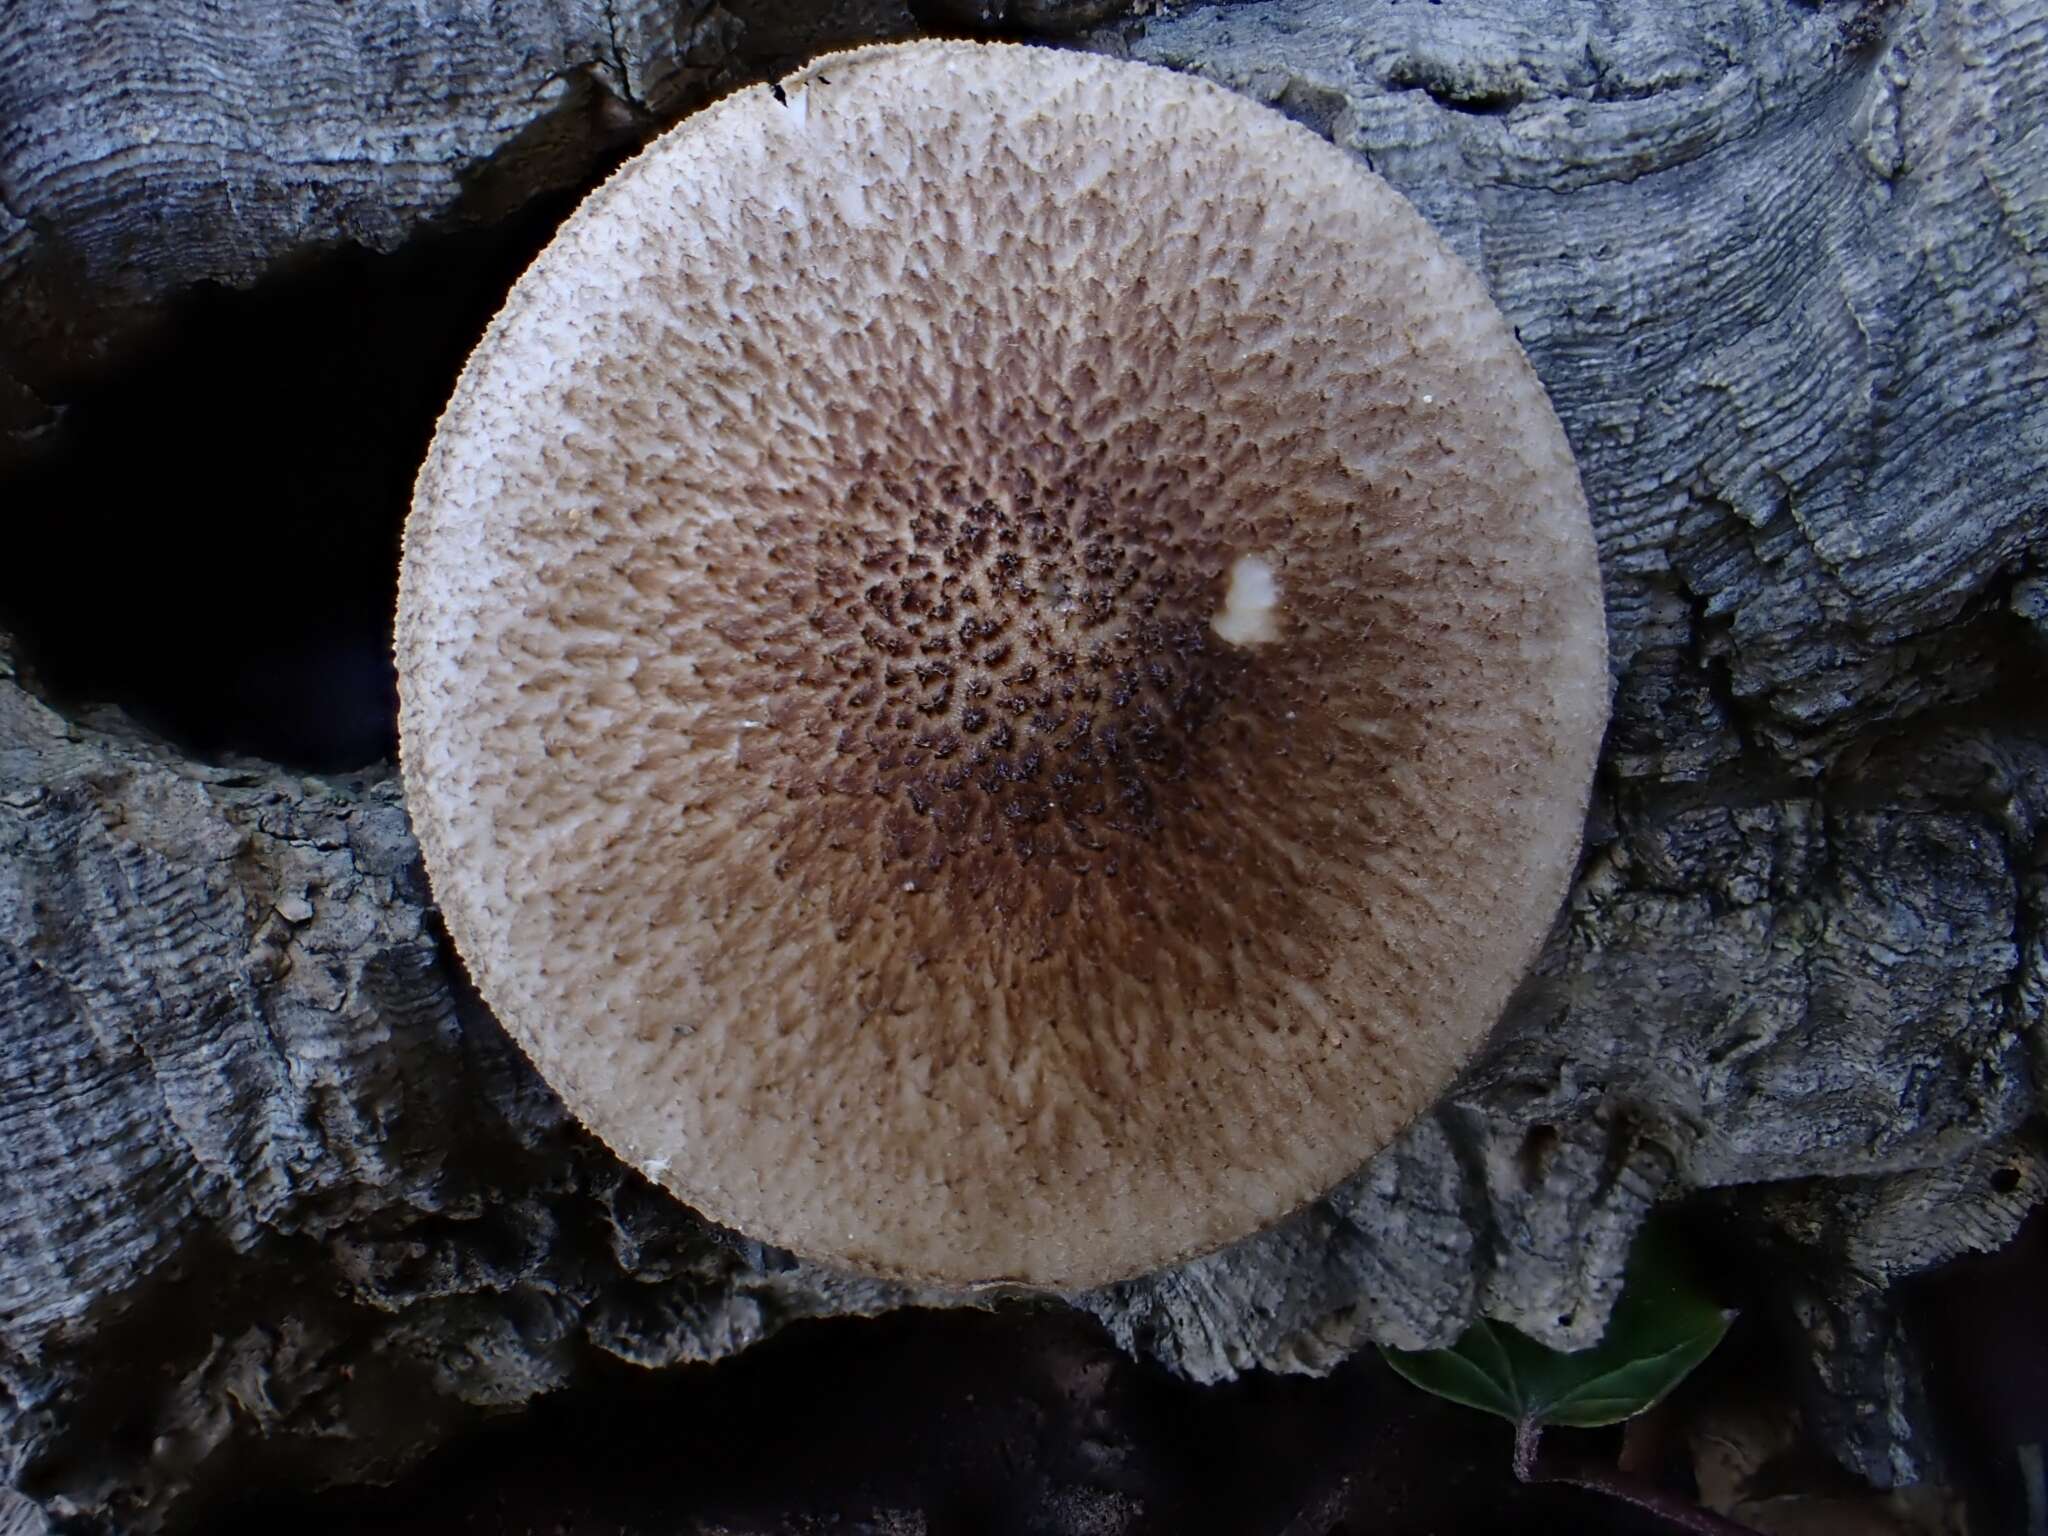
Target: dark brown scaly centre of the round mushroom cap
{"type": "Point", "coordinates": [992, 675]}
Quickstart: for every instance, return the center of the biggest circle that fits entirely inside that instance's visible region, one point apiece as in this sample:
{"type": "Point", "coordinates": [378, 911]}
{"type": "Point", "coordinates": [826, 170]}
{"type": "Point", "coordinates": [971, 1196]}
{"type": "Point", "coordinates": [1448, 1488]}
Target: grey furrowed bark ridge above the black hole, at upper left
{"type": "Point", "coordinates": [148, 148]}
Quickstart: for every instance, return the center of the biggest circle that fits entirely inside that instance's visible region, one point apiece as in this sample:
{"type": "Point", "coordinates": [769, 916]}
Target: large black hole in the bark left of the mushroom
{"type": "Point", "coordinates": [212, 542]}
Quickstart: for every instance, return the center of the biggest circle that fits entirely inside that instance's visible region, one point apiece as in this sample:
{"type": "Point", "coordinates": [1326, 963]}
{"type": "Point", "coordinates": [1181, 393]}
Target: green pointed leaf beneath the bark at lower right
{"type": "Point", "coordinates": [1662, 1328]}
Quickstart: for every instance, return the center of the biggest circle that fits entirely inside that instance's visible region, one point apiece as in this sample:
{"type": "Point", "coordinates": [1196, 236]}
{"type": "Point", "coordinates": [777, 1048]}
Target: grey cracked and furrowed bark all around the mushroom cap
{"type": "Point", "coordinates": [1781, 269]}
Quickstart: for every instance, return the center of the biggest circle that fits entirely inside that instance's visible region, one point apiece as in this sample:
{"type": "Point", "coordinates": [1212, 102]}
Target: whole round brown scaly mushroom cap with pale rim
{"type": "Point", "coordinates": [1000, 665]}
